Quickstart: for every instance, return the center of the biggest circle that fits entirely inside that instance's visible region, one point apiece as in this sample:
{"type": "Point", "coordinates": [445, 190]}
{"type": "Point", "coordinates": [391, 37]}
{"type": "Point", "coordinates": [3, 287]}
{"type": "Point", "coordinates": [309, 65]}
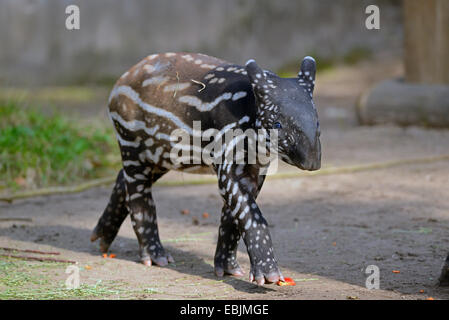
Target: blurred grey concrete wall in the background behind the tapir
{"type": "Point", "coordinates": [36, 48]}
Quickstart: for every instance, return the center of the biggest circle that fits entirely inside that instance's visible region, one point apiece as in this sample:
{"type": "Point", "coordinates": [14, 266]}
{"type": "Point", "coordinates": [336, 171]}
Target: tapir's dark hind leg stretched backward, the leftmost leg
{"type": "Point", "coordinates": [113, 216]}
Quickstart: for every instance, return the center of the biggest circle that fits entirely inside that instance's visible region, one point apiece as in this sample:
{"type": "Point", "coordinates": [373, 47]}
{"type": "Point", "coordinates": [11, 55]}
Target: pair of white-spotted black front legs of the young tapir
{"type": "Point", "coordinates": [239, 187]}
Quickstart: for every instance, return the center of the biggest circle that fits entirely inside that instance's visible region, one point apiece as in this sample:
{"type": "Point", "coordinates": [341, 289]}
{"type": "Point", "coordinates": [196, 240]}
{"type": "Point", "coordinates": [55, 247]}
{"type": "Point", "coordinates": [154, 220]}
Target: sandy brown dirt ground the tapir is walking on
{"type": "Point", "coordinates": [326, 229]}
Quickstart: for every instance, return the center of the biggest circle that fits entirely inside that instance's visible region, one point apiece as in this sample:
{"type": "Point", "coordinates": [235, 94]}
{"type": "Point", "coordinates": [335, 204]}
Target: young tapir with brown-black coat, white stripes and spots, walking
{"type": "Point", "coordinates": [170, 91]}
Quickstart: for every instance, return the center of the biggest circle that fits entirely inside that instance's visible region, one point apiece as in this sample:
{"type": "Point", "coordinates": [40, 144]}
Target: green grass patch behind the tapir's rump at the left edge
{"type": "Point", "coordinates": [38, 149]}
